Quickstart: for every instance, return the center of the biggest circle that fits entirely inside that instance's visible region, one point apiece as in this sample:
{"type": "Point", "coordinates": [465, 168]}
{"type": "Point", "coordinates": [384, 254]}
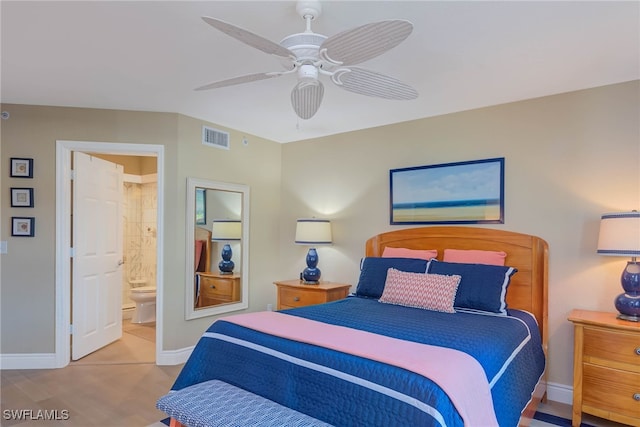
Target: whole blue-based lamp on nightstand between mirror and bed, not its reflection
{"type": "Point", "coordinates": [312, 232]}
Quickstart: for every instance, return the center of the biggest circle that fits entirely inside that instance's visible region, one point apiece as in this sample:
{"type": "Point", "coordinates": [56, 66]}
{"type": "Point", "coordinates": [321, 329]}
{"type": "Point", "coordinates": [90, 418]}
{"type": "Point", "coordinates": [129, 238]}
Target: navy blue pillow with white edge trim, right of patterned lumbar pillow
{"type": "Point", "coordinates": [482, 287]}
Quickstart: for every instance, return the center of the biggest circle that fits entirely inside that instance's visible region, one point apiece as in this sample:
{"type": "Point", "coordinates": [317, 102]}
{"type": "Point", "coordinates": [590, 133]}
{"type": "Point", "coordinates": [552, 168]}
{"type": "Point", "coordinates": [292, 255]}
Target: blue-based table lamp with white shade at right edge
{"type": "Point", "coordinates": [620, 236]}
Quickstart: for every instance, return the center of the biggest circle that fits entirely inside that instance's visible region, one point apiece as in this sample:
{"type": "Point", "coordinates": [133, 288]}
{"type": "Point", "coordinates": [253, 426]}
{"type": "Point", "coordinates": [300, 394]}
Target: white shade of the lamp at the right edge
{"type": "Point", "coordinates": [620, 234]}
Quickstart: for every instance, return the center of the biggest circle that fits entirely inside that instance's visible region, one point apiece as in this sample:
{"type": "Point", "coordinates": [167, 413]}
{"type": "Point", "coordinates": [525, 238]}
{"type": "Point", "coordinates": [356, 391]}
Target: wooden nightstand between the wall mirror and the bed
{"type": "Point", "coordinates": [293, 293]}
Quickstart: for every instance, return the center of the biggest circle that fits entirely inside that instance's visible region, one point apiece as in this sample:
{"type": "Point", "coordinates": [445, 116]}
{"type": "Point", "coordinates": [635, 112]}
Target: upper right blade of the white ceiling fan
{"type": "Point", "coordinates": [365, 42]}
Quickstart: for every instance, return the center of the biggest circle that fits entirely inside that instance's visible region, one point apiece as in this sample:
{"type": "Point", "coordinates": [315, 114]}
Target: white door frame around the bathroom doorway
{"type": "Point", "coordinates": [63, 235]}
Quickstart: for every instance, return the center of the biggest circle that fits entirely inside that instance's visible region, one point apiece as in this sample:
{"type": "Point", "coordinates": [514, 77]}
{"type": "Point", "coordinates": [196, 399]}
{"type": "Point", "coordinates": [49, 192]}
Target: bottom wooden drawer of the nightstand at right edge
{"type": "Point", "coordinates": [611, 390]}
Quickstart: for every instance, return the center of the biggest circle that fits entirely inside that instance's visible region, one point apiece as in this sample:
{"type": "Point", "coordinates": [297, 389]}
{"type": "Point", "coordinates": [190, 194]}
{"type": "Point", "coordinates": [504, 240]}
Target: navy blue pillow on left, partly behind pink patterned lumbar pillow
{"type": "Point", "coordinates": [373, 273]}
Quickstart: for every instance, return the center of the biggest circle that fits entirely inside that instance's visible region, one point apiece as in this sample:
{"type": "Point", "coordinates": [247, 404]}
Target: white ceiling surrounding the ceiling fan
{"type": "Point", "coordinates": [150, 55]}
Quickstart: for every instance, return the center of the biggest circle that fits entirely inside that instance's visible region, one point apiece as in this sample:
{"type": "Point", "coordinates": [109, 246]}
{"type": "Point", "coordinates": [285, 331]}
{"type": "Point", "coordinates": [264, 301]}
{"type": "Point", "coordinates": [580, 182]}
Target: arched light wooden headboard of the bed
{"type": "Point", "coordinates": [529, 254]}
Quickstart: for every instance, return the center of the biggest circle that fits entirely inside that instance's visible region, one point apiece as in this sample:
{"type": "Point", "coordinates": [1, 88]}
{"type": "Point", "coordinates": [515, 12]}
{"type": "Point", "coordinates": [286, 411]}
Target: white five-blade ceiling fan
{"type": "Point", "coordinates": [310, 55]}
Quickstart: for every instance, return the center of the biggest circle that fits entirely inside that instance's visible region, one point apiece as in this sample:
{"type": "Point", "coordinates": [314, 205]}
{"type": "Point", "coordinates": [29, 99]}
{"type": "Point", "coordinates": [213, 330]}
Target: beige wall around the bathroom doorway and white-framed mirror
{"type": "Point", "coordinates": [28, 269]}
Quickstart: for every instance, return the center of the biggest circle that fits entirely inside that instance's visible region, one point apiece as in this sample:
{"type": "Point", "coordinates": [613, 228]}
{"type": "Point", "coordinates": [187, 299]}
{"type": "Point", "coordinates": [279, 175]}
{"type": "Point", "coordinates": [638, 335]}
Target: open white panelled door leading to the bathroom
{"type": "Point", "coordinates": [96, 312]}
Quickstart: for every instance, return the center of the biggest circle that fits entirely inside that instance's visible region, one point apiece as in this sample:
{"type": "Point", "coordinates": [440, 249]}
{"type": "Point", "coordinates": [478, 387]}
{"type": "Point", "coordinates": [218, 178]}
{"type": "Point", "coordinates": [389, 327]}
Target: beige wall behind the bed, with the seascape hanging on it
{"type": "Point", "coordinates": [568, 159]}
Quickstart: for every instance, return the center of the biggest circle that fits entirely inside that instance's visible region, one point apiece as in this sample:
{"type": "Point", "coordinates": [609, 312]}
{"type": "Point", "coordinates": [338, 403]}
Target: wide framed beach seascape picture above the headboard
{"type": "Point", "coordinates": [469, 192]}
